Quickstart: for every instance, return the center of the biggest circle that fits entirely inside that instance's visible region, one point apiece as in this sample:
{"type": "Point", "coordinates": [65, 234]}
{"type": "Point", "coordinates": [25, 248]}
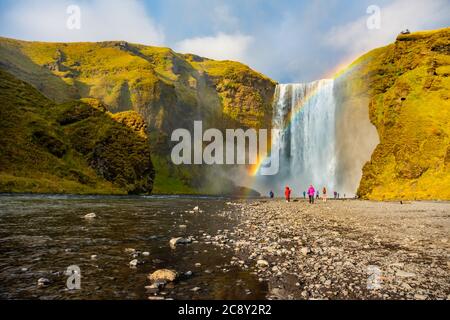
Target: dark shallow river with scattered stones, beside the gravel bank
{"type": "Point", "coordinates": [42, 235]}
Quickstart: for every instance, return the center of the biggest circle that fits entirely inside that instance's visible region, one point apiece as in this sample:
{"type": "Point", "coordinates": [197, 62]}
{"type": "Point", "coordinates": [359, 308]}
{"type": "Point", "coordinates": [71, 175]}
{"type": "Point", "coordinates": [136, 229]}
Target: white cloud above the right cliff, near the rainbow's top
{"type": "Point", "coordinates": [355, 38]}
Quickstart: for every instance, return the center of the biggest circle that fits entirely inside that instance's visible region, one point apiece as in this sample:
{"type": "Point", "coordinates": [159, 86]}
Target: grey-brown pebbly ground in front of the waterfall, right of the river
{"type": "Point", "coordinates": [343, 249]}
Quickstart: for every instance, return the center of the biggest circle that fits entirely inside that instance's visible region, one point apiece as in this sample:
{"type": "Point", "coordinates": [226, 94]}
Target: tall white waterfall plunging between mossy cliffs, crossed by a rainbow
{"type": "Point", "coordinates": [306, 115]}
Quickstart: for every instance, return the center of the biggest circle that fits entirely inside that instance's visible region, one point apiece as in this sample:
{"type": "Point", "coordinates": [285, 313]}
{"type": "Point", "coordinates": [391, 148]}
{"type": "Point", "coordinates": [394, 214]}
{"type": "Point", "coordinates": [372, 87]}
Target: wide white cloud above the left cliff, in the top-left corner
{"type": "Point", "coordinates": [100, 20]}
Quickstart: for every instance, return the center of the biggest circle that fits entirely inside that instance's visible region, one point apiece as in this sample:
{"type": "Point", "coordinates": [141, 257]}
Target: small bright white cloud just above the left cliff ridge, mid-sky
{"type": "Point", "coordinates": [219, 47]}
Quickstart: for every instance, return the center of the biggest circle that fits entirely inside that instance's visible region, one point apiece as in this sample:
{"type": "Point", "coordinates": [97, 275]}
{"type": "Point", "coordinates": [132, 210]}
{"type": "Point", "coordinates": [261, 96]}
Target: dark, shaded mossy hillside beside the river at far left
{"type": "Point", "coordinates": [69, 148]}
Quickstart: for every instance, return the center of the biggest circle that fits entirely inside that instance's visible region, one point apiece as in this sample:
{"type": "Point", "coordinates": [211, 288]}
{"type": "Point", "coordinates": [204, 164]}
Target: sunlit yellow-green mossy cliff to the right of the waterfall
{"type": "Point", "coordinates": [407, 86]}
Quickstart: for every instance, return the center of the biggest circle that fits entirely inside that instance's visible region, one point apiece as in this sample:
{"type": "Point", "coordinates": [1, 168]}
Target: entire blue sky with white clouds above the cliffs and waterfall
{"type": "Point", "coordinates": [288, 40]}
